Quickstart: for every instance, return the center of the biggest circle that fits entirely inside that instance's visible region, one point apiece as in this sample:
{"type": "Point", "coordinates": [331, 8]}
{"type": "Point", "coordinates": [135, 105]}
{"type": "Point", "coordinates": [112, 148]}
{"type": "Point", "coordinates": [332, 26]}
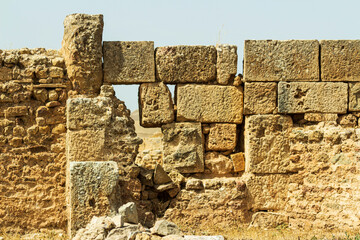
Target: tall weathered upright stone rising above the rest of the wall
{"type": "Point", "coordinates": [82, 50]}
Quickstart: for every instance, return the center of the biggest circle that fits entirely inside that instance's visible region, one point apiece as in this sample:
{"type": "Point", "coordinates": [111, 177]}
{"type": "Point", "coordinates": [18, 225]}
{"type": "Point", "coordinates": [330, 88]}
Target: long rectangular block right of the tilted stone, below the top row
{"type": "Point", "coordinates": [209, 103]}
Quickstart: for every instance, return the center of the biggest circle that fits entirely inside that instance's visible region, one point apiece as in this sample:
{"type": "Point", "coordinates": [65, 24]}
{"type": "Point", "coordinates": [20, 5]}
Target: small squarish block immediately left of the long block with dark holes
{"type": "Point", "coordinates": [259, 97]}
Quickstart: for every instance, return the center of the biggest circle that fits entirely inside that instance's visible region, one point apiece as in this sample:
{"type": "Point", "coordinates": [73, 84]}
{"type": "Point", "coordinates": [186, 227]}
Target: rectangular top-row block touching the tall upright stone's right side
{"type": "Point", "coordinates": [129, 62]}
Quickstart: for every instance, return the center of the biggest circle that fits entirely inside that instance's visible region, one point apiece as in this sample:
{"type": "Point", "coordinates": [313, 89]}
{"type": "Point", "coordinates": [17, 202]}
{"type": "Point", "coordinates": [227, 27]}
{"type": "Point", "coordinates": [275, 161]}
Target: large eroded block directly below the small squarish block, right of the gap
{"type": "Point", "coordinates": [267, 147]}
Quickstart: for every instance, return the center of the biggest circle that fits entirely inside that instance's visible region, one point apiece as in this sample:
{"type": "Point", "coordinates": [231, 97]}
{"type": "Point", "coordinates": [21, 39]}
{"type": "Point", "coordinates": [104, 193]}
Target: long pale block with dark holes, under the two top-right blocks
{"type": "Point", "coordinates": [321, 97]}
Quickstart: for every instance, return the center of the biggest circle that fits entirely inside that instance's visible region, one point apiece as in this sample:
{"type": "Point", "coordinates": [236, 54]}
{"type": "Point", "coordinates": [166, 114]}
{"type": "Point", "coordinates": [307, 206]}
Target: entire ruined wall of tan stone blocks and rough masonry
{"type": "Point", "coordinates": [278, 145]}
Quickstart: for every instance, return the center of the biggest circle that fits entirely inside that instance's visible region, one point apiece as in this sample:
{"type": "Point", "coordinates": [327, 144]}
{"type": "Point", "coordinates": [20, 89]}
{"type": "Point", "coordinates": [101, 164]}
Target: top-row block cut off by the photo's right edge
{"type": "Point", "coordinates": [340, 60]}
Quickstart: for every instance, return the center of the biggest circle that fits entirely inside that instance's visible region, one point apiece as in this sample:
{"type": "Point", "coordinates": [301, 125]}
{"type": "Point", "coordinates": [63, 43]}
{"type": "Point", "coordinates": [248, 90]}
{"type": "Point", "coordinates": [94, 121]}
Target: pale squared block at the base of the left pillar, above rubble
{"type": "Point", "coordinates": [92, 187]}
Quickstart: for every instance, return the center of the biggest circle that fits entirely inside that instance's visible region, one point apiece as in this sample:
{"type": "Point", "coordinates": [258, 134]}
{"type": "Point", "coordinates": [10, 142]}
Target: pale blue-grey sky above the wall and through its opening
{"type": "Point", "coordinates": [39, 23]}
